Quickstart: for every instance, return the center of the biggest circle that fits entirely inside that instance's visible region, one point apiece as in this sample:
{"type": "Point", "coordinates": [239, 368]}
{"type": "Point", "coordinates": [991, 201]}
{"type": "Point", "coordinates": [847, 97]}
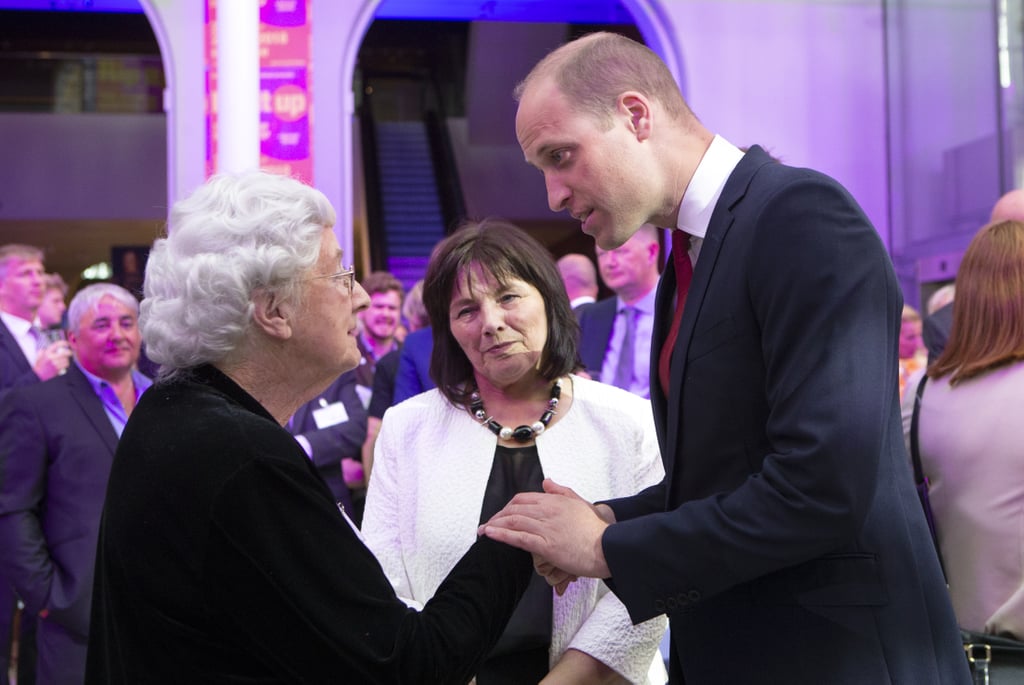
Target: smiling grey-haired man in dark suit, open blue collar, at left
{"type": "Point", "coordinates": [57, 446]}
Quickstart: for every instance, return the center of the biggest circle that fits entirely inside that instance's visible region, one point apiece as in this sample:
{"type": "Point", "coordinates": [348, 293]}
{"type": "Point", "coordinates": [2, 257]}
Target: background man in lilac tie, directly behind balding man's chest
{"type": "Point", "coordinates": [615, 333]}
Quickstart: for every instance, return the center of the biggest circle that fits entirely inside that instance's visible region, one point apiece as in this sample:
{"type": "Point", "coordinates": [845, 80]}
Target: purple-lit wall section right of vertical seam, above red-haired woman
{"type": "Point", "coordinates": [945, 127]}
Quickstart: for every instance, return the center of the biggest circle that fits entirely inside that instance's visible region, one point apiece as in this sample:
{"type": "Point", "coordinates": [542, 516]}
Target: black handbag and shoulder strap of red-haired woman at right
{"type": "Point", "coordinates": [994, 660]}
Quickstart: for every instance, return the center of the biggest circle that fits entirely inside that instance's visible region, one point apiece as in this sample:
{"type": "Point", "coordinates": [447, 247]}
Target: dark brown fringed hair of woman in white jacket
{"type": "Point", "coordinates": [506, 252]}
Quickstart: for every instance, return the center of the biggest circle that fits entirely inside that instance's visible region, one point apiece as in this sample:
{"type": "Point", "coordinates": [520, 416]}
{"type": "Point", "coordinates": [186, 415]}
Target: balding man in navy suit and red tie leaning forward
{"type": "Point", "coordinates": [786, 543]}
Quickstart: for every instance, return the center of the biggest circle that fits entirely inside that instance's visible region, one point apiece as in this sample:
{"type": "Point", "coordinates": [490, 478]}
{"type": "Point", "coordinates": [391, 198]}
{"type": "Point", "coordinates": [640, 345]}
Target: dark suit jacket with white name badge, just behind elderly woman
{"type": "Point", "coordinates": [332, 444]}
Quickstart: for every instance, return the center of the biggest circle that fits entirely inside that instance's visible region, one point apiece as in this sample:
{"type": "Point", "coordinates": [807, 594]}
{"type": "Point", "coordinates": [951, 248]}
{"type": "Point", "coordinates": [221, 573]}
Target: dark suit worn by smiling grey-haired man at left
{"type": "Point", "coordinates": [57, 447]}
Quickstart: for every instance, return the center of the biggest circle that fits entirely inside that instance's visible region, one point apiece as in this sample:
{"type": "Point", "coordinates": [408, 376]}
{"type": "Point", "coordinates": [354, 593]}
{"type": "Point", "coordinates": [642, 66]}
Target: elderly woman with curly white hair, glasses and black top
{"type": "Point", "coordinates": [223, 556]}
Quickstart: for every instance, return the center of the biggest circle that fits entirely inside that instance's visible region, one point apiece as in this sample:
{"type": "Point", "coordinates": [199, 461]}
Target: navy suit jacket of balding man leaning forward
{"type": "Point", "coordinates": [786, 543]}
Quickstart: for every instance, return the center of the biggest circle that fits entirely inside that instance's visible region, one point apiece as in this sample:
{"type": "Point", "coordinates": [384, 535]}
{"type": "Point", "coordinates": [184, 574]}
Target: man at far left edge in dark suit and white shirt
{"type": "Point", "coordinates": [25, 360]}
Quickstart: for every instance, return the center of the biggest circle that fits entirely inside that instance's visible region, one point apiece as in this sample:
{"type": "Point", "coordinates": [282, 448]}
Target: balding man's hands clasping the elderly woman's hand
{"type": "Point", "coordinates": [562, 530]}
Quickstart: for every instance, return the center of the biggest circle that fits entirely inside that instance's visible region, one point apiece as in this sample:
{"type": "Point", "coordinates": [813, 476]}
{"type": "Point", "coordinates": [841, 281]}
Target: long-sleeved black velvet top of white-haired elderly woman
{"type": "Point", "coordinates": [223, 558]}
